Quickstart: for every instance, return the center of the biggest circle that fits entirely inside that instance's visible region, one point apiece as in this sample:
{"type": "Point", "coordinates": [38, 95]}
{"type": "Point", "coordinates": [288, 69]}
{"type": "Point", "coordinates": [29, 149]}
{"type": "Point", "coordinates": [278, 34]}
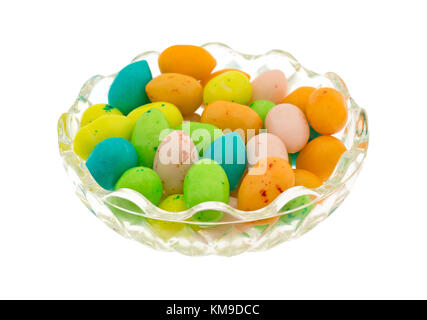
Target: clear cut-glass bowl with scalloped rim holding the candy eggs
{"type": "Point", "coordinates": [293, 213]}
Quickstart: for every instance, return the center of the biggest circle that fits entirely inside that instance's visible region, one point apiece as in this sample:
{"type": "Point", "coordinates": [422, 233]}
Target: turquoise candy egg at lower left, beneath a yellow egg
{"type": "Point", "coordinates": [109, 160]}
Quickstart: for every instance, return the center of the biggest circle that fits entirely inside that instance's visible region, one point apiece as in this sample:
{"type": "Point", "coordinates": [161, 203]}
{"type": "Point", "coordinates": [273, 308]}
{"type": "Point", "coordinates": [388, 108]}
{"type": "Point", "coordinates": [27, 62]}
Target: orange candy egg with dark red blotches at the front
{"type": "Point", "coordinates": [264, 182]}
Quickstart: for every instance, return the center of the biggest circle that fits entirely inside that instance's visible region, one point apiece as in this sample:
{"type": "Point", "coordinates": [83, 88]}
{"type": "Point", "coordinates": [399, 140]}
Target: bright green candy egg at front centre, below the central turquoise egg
{"type": "Point", "coordinates": [206, 181]}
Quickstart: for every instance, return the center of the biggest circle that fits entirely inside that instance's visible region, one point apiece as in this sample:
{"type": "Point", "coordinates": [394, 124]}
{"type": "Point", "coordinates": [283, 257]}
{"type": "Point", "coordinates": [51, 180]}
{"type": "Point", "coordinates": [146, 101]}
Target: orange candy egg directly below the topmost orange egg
{"type": "Point", "coordinates": [183, 91]}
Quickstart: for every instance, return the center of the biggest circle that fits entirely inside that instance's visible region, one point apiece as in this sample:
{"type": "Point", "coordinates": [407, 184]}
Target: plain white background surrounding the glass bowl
{"type": "Point", "coordinates": [373, 246]}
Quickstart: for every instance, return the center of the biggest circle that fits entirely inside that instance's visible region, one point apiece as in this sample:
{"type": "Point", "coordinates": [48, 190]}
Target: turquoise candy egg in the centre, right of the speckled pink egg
{"type": "Point", "coordinates": [230, 153]}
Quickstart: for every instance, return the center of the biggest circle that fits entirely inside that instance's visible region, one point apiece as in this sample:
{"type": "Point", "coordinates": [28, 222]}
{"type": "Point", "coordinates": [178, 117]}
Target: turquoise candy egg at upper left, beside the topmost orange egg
{"type": "Point", "coordinates": [127, 91]}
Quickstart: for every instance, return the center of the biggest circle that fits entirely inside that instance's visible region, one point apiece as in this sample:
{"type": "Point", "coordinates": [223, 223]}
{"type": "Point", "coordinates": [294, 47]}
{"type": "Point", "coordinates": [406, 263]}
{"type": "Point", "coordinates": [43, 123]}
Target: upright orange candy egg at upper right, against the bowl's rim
{"type": "Point", "coordinates": [326, 111]}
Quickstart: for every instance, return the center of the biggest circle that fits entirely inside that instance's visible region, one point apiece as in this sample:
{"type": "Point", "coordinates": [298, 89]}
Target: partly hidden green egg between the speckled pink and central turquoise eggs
{"type": "Point", "coordinates": [202, 134]}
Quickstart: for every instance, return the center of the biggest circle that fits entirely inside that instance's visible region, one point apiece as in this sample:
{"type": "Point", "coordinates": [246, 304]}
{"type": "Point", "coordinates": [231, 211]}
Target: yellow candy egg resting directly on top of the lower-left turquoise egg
{"type": "Point", "coordinates": [100, 129]}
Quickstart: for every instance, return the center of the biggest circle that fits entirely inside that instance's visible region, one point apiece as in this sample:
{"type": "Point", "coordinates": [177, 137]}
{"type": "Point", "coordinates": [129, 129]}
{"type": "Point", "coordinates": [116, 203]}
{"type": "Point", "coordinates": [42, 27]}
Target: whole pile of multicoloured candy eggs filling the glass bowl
{"type": "Point", "coordinates": [240, 150]}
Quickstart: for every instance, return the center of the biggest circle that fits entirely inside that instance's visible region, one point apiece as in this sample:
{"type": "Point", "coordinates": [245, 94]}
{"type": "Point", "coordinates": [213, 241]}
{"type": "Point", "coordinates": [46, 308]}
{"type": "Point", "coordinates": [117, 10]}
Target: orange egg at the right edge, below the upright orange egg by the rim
{"type": "Point", "coordinates": [320, 156]}
